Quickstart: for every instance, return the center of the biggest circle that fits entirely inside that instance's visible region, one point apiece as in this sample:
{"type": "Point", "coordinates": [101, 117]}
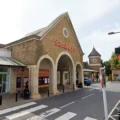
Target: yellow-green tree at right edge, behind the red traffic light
{"type": "Point", "coordinates": [115, 63]}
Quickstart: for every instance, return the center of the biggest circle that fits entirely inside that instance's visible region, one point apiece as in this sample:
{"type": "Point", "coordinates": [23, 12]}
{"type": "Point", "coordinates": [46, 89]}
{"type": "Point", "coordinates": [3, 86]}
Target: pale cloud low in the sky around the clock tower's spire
{"type": "Point", "coordinates": [104, 43]}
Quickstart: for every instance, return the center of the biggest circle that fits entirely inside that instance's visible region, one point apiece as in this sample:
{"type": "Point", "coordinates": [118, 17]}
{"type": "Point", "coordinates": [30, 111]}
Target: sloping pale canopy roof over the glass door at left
{"type": "Point", "coordinates": [9, 62]}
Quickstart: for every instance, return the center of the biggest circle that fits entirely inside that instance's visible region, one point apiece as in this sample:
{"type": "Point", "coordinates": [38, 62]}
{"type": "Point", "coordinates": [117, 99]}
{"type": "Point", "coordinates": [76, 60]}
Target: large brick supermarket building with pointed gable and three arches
{"type": "Point", "coordinates": [52, 56]}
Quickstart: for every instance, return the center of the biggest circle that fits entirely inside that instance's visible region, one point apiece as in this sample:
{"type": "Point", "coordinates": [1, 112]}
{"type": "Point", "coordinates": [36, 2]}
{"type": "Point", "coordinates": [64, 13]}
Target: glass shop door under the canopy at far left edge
{"type": "Point", "coordinates": [4, 83]}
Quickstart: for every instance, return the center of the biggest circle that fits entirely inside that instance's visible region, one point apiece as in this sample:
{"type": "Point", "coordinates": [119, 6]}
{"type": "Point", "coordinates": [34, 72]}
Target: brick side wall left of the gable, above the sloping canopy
{"type": "Point", "coordinates": [25, 52]}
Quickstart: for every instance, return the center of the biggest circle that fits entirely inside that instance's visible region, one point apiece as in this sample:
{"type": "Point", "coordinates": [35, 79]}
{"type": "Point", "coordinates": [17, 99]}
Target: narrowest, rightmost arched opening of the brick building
{"type": "Point", "coordinates": [79, 74]}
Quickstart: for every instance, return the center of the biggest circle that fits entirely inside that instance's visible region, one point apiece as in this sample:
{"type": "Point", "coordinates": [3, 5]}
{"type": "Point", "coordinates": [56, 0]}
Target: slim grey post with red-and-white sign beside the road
{"type": "Point", "coordinates": [103, 85]}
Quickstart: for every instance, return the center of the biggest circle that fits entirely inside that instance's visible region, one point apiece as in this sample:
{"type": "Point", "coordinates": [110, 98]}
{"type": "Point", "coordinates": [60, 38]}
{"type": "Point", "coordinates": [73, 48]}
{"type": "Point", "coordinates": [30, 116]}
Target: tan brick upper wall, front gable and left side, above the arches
{"type": "Point", "coordinates": [29, 52]}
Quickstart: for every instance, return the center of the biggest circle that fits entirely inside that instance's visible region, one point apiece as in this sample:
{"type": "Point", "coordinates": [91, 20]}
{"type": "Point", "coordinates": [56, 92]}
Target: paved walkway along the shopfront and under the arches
{"type": "Point", "coordinates": [7, 99]}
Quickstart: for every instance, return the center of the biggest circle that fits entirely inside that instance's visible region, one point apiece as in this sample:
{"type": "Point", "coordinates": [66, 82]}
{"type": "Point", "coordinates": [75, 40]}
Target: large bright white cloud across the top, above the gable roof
{"type": "Point", "coordinates": [19, 17]}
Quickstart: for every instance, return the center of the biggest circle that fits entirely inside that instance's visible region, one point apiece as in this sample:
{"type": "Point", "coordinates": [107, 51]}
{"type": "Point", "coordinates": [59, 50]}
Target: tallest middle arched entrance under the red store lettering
{"type": "Point", "coordinates": [65, 71]}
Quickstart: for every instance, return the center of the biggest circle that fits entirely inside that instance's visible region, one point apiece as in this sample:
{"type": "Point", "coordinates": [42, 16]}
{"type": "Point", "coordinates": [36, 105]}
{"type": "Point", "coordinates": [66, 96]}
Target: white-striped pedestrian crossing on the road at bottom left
{"type": "Point", "coordinates": [27, 112]}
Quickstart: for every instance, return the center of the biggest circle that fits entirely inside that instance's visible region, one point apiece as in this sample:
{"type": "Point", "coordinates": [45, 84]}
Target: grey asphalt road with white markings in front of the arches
{"type": "Point", "coordinates": [82, 104]}
